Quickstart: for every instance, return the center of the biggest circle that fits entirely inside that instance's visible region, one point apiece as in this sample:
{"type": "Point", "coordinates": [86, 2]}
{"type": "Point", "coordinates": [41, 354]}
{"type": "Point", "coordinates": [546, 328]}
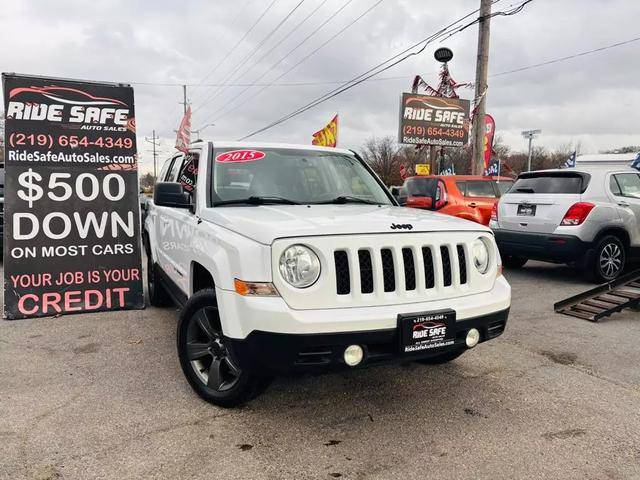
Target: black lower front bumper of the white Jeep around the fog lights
{"type": "Point", "coordinates": [283, 354]}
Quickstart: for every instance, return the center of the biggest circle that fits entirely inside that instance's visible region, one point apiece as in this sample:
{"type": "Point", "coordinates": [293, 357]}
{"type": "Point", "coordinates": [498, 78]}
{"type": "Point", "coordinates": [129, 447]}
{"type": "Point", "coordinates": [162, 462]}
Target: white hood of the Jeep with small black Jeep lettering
{"type": "Point", "coordinates": [269, 222]}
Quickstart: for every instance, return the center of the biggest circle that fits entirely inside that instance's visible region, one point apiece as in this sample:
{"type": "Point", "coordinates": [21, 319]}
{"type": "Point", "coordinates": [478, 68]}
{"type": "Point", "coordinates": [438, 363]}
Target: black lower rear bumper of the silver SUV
{"type": "Point", "coordinates": [539, 246]}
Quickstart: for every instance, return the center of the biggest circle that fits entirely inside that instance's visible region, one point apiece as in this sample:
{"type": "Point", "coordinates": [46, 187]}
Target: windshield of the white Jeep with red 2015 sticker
{"type": "Point", "coordinates": [301, 176]}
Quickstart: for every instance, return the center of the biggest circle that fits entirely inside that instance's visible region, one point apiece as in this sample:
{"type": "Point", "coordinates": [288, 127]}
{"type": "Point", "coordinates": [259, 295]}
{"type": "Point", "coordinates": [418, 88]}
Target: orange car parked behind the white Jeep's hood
{"type": "Point", "coordinates": [465, 196]}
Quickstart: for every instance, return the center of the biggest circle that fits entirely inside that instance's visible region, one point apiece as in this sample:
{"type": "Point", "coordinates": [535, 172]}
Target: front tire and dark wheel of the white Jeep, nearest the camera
{"type": "Point", "coordinates": [206, 358]}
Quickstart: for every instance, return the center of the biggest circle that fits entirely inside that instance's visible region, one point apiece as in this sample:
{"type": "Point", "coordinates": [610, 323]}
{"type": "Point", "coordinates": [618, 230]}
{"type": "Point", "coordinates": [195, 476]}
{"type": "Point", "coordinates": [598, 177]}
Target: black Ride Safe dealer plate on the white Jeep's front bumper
{"type": "Point", "coordinates": [427, 331]}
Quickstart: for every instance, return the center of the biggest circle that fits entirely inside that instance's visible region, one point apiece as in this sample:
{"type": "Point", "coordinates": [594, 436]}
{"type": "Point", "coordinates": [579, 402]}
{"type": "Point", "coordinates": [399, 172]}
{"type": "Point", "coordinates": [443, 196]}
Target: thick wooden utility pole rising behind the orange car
{"type": "Point", "coordinates": [482, 65]}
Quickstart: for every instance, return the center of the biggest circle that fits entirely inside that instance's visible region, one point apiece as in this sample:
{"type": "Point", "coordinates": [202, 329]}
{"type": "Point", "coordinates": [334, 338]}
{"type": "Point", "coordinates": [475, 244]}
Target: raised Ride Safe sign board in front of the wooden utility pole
{"type": "Point", "coordinates": [428, 120]}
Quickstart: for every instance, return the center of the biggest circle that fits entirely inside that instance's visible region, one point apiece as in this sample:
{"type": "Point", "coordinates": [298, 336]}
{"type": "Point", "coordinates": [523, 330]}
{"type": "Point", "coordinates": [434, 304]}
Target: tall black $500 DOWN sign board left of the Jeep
{"type": "Point", "coordinates": [71, 212]}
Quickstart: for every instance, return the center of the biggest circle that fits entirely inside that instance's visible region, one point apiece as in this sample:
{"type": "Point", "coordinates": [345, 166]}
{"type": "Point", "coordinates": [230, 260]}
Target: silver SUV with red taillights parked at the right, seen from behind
{"type": "Point", "coordinates": [587, 216]}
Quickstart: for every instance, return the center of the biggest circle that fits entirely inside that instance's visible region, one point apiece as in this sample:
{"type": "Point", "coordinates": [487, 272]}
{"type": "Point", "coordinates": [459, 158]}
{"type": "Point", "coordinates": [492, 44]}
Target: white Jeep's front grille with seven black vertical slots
{"type": "Point", "coordinates": [392, 276]}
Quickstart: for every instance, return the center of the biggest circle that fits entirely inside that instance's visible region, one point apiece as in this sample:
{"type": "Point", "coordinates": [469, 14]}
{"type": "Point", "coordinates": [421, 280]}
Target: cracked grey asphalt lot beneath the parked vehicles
{"type": "Point", "coordinates": [103, 396]}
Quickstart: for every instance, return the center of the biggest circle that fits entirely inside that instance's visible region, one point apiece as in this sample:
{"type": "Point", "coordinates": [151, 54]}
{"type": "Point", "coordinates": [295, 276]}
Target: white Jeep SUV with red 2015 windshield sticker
{"type": "Point", "coordinates": [289, 258]}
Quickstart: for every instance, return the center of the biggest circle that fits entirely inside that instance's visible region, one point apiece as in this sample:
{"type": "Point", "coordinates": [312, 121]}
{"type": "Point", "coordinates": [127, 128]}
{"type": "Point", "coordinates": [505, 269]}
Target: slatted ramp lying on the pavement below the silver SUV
{"type": "Point", "coordinates": [602, 301]}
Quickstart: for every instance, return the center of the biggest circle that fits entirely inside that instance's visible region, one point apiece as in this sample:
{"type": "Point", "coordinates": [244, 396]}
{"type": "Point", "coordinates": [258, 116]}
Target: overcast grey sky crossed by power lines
{"type": "Point", "coordinates": [593, 99]}
